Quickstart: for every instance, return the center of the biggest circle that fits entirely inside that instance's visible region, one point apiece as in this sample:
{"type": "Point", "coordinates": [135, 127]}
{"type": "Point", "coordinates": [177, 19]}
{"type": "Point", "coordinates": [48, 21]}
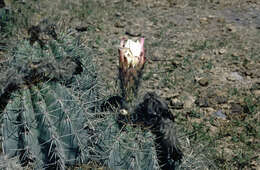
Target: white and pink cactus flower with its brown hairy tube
{"type": "Point", "coordinates": [131, 63]}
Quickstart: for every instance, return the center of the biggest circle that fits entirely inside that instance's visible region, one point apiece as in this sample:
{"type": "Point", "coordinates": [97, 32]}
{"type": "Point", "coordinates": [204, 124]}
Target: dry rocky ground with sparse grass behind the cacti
{"type": "Point", "coordinates": [203, 58]}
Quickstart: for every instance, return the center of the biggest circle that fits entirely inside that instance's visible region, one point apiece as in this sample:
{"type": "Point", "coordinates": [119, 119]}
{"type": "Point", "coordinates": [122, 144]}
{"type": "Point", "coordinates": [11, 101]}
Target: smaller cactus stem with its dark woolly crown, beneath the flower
{"type": "Point", "coordinates": [147, 125]}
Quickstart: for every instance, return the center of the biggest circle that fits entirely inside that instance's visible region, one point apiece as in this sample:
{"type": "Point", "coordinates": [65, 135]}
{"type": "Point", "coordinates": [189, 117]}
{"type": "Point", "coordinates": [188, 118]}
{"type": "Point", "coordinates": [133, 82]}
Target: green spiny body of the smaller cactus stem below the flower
{"type": "Point", "coordinates": [127, 147]}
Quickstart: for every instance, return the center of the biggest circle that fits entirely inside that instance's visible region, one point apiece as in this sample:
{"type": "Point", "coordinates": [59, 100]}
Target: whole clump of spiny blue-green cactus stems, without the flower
{"type": "Point", "coordinates": [52, 114]}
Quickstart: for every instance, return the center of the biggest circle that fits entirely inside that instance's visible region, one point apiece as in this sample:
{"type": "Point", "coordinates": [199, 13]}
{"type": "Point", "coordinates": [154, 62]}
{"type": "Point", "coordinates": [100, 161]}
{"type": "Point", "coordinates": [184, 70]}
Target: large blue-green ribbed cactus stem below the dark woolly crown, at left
{"type": "Point", "coordinates": [45, 124]}
